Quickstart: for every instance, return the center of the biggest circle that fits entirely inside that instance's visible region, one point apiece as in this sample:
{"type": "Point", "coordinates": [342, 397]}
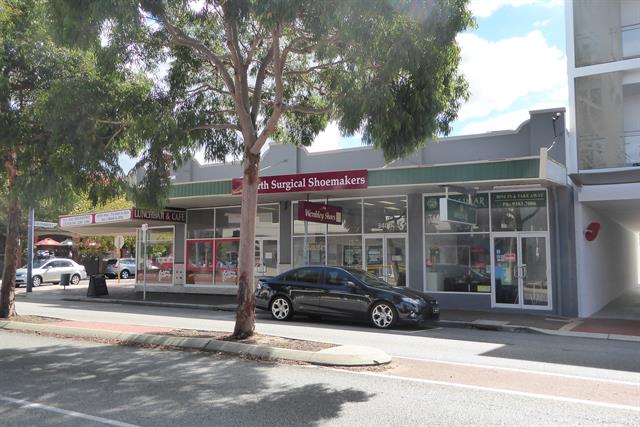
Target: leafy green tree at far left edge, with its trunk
{"type": "Point", "coordinates": [57, 107]}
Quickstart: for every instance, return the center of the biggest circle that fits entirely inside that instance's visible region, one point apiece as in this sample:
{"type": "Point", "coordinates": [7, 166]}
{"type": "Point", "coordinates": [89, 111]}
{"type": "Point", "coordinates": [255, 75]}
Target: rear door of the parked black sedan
{"type": "Point", "coordinates": [305, 285]}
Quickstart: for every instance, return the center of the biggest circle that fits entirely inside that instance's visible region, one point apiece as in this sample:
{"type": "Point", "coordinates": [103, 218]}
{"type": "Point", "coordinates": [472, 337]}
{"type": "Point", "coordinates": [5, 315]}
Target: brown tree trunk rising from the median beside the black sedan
{"type": "Point", "coordinates": [246, 311]}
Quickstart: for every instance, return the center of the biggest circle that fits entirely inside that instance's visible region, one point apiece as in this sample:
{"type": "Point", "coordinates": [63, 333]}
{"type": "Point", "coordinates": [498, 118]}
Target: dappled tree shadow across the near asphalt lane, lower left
{"type": "Point", "coordinates": [164, 387]}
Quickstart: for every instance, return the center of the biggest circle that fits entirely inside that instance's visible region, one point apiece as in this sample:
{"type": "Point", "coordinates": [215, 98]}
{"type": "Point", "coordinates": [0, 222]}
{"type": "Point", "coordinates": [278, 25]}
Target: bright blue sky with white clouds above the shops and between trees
{"type": "Point", "coordinates": [514, 61]}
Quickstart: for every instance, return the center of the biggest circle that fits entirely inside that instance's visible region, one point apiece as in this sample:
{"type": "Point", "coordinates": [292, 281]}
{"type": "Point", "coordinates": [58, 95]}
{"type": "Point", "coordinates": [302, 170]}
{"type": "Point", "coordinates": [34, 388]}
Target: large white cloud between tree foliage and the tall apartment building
{"type": "Point", "coordinates": [503, 72]}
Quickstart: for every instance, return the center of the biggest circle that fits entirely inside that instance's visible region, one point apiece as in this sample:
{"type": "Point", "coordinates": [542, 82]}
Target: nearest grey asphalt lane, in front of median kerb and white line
{"type": "Point", "coordinates": [62, 382]}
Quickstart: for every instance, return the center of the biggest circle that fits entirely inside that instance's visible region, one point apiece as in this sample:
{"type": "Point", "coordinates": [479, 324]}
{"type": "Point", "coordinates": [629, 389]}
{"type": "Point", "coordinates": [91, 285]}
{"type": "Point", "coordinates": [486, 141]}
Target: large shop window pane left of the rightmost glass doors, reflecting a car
{"type": "Point", "coordinates": [458, 263]}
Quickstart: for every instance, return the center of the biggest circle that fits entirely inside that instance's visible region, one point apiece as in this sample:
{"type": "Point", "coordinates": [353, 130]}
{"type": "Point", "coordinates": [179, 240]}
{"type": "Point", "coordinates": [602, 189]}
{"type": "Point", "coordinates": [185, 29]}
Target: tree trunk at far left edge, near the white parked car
{"type": "Point", "coordinates": [12, 245]}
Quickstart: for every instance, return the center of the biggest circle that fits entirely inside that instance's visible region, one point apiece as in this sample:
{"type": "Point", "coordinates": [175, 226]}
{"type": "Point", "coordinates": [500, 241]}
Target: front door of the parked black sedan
{"type": "Point", "coordinates": [343, 296]}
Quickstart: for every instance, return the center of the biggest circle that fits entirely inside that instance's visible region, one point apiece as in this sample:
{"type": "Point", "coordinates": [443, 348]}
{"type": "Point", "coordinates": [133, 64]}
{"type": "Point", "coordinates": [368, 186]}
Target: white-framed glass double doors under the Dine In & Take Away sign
{"type": "Point", "coordinates": [521, 271]}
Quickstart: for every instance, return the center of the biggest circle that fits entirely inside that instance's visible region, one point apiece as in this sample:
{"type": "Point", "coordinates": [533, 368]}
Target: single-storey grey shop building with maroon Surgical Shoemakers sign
{"type": "Point", "coordinates": [349, 208]}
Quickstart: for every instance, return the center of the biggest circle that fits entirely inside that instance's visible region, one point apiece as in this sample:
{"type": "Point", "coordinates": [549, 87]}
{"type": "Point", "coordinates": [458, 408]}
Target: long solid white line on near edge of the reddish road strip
{"type": "Point", "coordinates": [496, 390]}
